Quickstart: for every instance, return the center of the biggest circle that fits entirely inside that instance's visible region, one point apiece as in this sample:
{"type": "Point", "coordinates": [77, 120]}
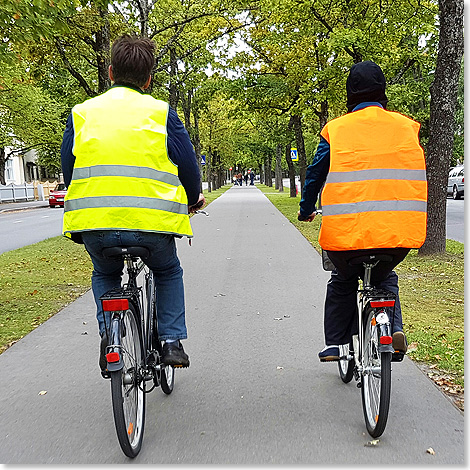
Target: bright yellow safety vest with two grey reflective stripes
{"type": "Point", "coordinates": [123, 178]}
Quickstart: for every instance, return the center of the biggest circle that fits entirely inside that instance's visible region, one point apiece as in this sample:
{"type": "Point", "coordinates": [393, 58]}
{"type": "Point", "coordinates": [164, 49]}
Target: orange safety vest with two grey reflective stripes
{"type": "Point", "coordinates": [375, 194]}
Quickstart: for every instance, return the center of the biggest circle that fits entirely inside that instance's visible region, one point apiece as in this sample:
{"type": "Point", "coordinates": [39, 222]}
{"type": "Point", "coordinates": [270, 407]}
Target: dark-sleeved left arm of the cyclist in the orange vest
{"type": "Point", "coordinates": [316, 175]}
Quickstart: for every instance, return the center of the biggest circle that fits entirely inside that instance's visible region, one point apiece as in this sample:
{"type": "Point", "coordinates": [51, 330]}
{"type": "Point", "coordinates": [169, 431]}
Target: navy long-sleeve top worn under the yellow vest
{"type": "Point", "coordinates": [180, 151]}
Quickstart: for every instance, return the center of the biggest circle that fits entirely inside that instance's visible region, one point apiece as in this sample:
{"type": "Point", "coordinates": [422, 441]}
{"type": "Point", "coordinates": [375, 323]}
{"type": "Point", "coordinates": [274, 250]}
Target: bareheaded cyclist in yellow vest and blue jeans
{"type": "Point", "coordinates": [131, 173]}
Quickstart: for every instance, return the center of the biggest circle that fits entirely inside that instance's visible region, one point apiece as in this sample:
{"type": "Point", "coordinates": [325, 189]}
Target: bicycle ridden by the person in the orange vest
{"type": "Point", "coordinates": [369, 354]}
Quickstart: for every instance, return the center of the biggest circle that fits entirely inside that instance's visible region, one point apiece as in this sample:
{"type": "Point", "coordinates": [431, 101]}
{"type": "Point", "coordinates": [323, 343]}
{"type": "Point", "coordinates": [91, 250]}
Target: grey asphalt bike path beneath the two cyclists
{"type": "Point", "coordinates": [255, 392]}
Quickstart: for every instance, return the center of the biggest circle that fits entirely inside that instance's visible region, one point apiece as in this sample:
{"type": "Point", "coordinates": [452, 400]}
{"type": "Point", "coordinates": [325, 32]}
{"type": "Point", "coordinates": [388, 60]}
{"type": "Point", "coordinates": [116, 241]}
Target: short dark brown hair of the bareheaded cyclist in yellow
{"type": "Point", "coordinates": [132, 60]}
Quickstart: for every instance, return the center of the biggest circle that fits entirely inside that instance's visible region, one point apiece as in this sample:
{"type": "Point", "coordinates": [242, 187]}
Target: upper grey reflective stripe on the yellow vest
{"type": "Point", "coordinates": [124, 170]}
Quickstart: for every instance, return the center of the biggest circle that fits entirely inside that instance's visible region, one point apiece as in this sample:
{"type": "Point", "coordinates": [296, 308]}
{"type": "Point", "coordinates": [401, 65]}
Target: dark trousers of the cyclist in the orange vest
{"type": "Point", "coordinates": [341, 301]}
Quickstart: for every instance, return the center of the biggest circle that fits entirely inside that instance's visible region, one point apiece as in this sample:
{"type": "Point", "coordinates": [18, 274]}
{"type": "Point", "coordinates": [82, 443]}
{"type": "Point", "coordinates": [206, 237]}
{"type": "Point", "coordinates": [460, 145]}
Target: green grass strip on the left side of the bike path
{"type": "Point", "coordinates": [39, 280]}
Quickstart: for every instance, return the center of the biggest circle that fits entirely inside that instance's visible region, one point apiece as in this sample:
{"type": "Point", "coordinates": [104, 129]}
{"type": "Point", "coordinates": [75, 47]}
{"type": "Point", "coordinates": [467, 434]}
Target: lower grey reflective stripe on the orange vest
{"type": "Point", "coordinates": [374, 206]}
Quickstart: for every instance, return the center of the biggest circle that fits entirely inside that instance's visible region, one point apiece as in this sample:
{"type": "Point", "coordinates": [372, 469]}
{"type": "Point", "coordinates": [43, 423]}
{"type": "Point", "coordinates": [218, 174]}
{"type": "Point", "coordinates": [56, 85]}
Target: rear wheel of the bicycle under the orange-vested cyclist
{"type": "Point", "coordinates": [376, 379]}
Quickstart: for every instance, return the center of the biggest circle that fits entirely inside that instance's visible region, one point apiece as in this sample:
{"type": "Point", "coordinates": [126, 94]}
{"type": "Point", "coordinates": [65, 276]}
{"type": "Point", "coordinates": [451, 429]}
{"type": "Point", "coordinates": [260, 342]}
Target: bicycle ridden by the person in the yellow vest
{"type": "Point", "coordinates": [134, 351]}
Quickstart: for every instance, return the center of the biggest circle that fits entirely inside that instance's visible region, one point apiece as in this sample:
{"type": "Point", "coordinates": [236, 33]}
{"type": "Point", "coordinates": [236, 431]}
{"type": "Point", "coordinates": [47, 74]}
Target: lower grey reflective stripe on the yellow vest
{"type": "Point", "coordinates": [125, 201]}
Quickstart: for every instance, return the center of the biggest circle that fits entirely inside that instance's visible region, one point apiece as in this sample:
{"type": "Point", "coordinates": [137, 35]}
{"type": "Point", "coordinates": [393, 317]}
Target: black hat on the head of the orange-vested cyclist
{"type": "Point", "coordinates": [365, 82]}
